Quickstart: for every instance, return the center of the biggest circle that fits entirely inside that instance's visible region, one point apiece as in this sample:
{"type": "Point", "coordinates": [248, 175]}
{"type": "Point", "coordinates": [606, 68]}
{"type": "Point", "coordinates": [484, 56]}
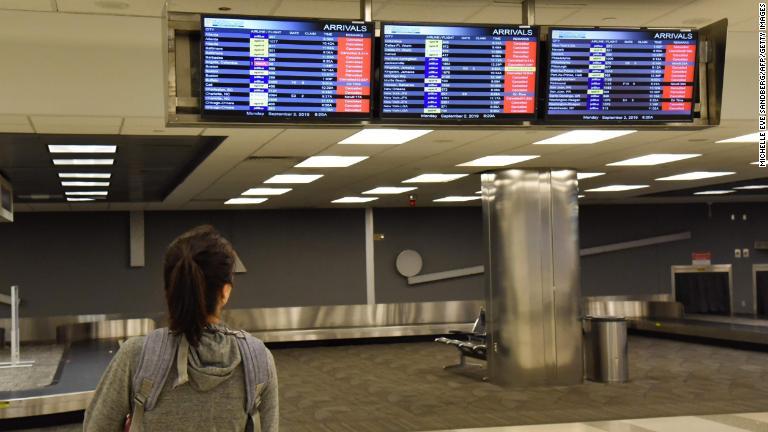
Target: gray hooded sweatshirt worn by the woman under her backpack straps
{"type": "Point", "coordinates": [212, 400]}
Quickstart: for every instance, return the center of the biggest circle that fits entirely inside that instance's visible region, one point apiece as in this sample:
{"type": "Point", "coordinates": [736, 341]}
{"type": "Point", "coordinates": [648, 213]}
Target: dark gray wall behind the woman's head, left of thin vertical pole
{"type": "Point", "coordinates": [77, 263]}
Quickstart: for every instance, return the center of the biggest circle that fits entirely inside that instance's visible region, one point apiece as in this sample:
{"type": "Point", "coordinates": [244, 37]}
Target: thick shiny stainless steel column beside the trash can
{"type": "Point", "coordinates": [532, 277]}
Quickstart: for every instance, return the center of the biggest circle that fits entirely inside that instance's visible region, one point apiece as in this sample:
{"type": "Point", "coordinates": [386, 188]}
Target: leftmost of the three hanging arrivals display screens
{"type": "Point", "coordinates": [269, 70]}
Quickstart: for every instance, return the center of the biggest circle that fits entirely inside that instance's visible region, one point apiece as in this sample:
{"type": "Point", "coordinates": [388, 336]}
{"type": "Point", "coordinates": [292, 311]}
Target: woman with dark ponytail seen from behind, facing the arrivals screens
{"type": "Point", "coordinates": [204, 386]}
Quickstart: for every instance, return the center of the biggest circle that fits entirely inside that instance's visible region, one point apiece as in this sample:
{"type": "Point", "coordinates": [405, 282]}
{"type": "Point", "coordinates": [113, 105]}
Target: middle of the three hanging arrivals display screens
{"type": "Point", "coordinates": [458, 72]}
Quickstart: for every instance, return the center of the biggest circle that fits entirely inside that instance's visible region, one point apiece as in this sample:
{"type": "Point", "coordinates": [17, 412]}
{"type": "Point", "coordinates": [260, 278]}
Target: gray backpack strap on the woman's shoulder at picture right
{"type": "Point", "coordinates": [256, 367]}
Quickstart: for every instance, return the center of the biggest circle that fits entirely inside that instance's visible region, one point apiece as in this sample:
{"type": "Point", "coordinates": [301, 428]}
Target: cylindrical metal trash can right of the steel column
{"type": "Point", "coordinates": [605, 349]}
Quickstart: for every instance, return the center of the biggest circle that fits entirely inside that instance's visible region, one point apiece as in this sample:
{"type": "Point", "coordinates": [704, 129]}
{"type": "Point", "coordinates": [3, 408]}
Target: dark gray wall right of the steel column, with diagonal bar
{"type": "Point", "coordinates": [647, 270]}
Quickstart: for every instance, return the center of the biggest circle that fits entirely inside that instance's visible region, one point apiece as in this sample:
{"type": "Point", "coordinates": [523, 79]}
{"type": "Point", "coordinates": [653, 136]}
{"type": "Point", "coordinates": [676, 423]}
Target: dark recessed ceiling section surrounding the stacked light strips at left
{"type": "Point", "coordinates": [145, 169]}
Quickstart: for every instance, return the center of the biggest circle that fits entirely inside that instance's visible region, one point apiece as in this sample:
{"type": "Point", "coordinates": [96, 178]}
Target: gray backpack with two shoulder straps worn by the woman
{"type": "Point", "coordinates": [159, 352]}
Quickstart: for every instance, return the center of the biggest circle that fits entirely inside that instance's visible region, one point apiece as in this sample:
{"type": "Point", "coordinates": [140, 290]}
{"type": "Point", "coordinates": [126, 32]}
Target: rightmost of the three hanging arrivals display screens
{"type": "Point", "coordinates": [621, 75]}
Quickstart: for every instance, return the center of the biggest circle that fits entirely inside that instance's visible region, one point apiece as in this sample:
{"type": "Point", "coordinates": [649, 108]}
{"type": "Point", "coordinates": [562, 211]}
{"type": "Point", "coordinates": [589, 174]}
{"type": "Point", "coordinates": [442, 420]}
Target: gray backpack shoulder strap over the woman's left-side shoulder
{"type": "Point", "coordinates": [157, 356]}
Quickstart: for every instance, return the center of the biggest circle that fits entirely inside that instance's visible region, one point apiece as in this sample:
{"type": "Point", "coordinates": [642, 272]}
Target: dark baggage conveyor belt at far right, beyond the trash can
{"type": "Point", "coordinates": [721, 328]}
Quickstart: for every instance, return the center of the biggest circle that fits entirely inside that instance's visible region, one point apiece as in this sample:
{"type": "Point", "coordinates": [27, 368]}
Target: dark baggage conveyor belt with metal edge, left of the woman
{"type": "Point", "coordinates": [82, 367]}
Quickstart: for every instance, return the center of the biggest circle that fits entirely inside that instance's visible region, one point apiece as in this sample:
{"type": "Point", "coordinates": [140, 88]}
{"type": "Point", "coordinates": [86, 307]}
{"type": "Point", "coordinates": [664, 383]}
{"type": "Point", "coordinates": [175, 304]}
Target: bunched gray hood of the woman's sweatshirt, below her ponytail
{"type": "Point", "coordinates": [212, 362]}
